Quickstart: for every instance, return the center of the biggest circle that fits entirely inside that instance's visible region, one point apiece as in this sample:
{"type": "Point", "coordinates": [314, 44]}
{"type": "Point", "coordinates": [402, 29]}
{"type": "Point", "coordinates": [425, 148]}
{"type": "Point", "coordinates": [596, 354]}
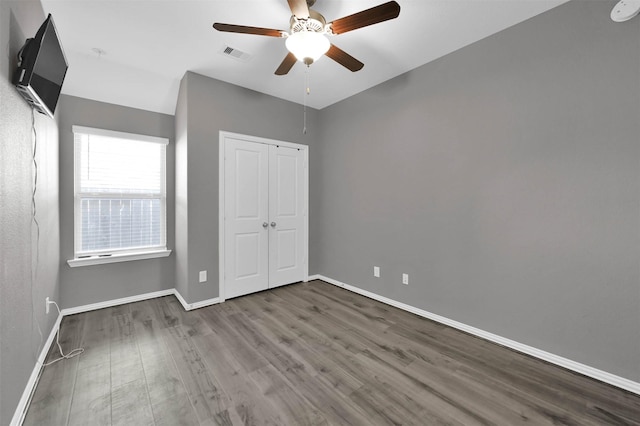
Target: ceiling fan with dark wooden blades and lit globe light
{"type": "Point", "coordinates": [306, 39]}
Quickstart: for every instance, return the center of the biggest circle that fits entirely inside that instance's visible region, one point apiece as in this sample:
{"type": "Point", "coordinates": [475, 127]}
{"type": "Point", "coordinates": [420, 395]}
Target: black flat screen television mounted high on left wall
{"type": "Point", "coordinates": [42, 67]}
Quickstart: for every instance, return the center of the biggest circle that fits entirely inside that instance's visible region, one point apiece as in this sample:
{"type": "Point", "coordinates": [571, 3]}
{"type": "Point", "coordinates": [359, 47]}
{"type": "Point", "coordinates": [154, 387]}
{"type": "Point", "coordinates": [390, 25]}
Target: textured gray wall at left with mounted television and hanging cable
{"type": "Point", "coordinates": [29, 266]}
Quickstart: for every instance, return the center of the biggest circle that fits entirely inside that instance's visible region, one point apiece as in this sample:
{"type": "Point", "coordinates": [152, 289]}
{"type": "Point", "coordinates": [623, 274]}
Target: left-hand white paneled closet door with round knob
{"type": "Point", "coordinates": [246, 217]}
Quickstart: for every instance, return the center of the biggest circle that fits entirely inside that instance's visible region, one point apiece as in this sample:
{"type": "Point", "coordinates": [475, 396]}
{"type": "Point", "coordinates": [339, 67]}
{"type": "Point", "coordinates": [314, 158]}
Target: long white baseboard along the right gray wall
{"type": "Point", "coordinates": [586, 370]}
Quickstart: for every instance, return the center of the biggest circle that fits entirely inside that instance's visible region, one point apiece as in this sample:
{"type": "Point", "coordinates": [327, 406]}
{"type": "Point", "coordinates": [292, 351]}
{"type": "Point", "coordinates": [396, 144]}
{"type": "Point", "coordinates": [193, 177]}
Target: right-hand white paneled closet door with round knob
{"type": "Point", "coordinates": [286, 215]}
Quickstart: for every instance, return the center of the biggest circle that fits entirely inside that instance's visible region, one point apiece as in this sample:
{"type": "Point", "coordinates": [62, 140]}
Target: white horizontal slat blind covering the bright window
{"type": "Point", "coordinates": [120, 192]}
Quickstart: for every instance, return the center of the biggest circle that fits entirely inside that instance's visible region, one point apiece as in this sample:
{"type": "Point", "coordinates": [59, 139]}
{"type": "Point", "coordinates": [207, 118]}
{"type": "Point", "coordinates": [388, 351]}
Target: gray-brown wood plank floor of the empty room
{"type": "Point", "coordinates": [305, 354]}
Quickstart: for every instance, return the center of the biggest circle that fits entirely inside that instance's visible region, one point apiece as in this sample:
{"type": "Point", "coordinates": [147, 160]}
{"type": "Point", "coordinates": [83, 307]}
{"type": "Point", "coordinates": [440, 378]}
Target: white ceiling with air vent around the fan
{"type": "Point", "coordinates": [149, 45]}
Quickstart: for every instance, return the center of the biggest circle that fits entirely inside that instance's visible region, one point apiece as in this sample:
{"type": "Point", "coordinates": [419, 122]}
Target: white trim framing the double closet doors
{"type": "Point", "coordinates": [221, 200]}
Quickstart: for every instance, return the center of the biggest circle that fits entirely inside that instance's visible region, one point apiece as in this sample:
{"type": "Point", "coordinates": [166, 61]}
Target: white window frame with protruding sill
{"type": "Point", "coordinates": [118, 255]}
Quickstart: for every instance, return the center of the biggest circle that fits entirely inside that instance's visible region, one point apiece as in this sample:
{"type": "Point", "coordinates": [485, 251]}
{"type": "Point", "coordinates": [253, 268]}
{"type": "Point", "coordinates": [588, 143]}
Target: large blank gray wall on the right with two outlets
{"type": "Point", "coordinates": [504, 179]}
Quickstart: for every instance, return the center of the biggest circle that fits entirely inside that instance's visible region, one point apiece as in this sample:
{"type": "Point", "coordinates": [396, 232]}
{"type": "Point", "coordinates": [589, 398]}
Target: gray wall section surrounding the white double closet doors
{"type": "Point", "coordinates": [212, 106]}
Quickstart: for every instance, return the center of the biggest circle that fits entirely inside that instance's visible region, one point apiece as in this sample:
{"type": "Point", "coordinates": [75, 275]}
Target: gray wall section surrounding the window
{"type": "Point", "coordinates": [90, 284]}
